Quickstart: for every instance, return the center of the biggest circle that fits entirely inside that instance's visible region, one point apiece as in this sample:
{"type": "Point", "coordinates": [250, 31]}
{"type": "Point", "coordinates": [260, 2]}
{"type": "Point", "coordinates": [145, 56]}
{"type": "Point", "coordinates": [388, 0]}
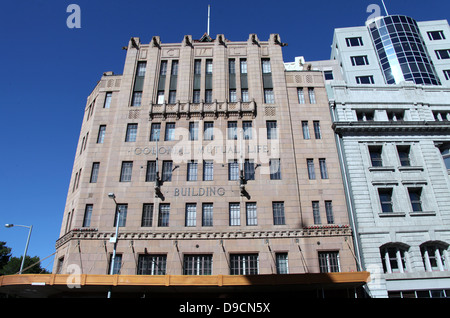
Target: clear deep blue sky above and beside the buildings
{"type": "Point", "coordinates": [48, 70]}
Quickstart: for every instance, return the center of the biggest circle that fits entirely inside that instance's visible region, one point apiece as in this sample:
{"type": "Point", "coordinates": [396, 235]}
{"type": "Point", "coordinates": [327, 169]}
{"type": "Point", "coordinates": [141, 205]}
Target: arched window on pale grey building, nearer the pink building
{"type": "Point", "coordinates": [394, 257]}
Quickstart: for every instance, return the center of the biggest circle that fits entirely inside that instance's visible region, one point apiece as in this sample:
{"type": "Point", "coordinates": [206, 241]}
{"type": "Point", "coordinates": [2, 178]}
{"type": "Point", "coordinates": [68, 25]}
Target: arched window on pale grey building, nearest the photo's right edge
{"type": "Point", "coordinates": [435, 256]}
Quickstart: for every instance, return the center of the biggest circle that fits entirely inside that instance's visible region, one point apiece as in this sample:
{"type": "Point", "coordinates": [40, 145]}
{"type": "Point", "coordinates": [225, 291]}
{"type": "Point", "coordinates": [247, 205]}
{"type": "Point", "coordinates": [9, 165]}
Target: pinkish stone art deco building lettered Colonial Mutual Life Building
{"type": "Point", "coordinates": [212, 160]}
